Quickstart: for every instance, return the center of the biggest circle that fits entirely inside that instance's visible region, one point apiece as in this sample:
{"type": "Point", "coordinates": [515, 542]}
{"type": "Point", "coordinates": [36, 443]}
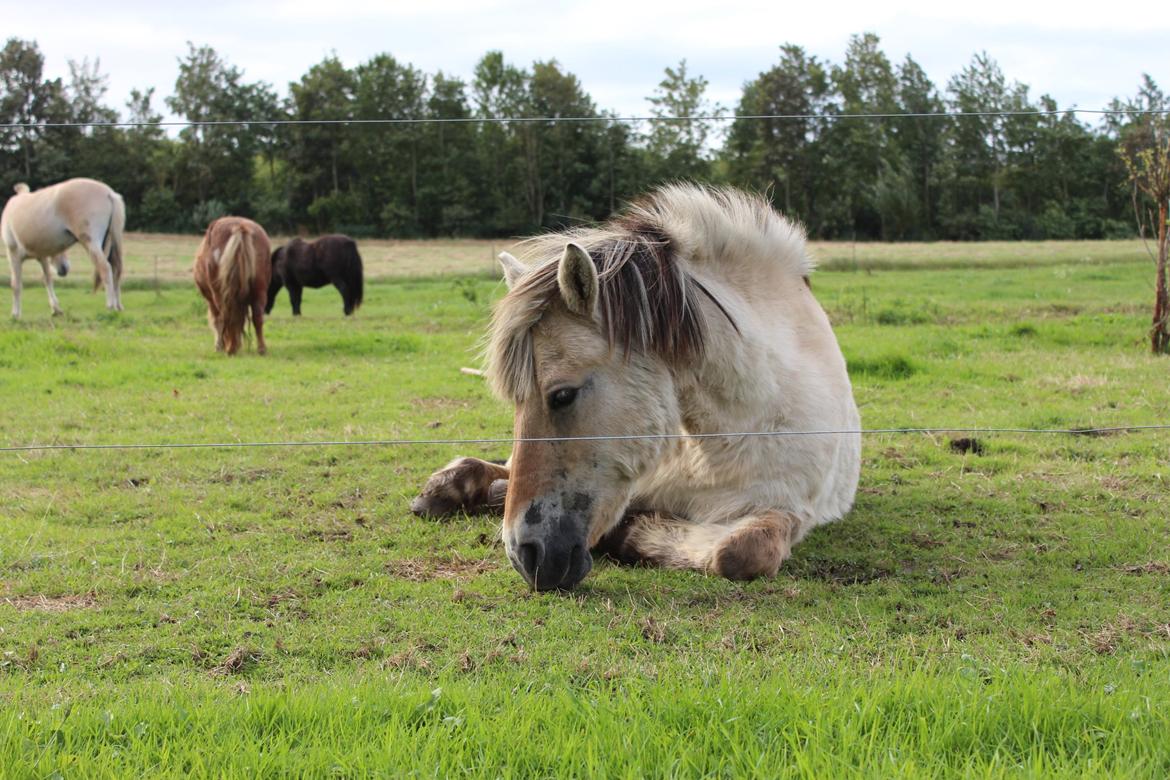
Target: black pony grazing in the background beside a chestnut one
{"type": "Point", "coordinates": [329, 260]}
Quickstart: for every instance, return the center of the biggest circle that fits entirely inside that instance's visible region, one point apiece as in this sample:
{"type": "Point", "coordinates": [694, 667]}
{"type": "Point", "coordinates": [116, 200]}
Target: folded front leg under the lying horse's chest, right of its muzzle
{"type": "Point", "coordinates": [751, 547]}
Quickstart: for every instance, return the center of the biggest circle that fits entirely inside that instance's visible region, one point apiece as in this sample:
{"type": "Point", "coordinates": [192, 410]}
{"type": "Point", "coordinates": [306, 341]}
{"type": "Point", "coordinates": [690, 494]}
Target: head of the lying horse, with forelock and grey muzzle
{"type": "Point", "coordinates": [582, 354]}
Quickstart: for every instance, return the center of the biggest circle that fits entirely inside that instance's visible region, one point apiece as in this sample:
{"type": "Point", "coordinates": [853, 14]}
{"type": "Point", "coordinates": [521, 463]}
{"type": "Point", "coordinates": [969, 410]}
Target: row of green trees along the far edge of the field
{"type": "Point", "coordinates": [985, 176]}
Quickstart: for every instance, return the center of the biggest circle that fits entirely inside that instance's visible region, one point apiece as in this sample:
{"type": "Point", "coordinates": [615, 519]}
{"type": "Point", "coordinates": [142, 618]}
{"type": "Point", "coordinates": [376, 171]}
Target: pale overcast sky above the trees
{"type": "Point", "coordinates": [1083, 54]}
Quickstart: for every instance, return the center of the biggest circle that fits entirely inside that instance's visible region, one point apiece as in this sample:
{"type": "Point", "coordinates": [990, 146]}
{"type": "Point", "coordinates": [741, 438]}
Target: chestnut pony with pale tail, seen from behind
{"type": "Point", "coordinates": [232, 271]}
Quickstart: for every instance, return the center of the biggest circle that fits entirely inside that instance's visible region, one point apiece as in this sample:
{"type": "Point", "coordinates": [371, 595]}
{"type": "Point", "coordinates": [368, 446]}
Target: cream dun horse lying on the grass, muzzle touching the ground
{"type": "Point", "coordinates": [690, 315]}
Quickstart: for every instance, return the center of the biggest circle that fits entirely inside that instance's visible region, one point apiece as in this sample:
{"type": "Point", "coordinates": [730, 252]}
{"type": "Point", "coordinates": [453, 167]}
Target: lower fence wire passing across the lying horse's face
{"type": "Point", "coordinates": [513, 440]}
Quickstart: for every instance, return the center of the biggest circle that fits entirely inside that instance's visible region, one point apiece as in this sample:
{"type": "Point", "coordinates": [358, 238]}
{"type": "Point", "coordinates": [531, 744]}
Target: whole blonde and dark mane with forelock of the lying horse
{"type": "Point", "coordinates": [649, 298]}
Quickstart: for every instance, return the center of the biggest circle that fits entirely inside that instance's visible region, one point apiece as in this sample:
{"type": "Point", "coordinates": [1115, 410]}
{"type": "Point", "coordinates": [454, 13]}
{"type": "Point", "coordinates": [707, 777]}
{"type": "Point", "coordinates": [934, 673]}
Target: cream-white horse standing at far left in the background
{"type": "Point", "coordinates": [46, 223]}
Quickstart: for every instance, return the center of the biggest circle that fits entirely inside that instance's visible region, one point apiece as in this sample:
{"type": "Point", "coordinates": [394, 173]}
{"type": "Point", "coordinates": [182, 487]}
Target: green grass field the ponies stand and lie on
{"type": "Point", "coordinates": [247, 612]}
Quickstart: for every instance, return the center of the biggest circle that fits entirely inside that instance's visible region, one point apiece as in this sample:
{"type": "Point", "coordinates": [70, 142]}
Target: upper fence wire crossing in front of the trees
{"type": "Point", "coordinates": [522, 120]}
